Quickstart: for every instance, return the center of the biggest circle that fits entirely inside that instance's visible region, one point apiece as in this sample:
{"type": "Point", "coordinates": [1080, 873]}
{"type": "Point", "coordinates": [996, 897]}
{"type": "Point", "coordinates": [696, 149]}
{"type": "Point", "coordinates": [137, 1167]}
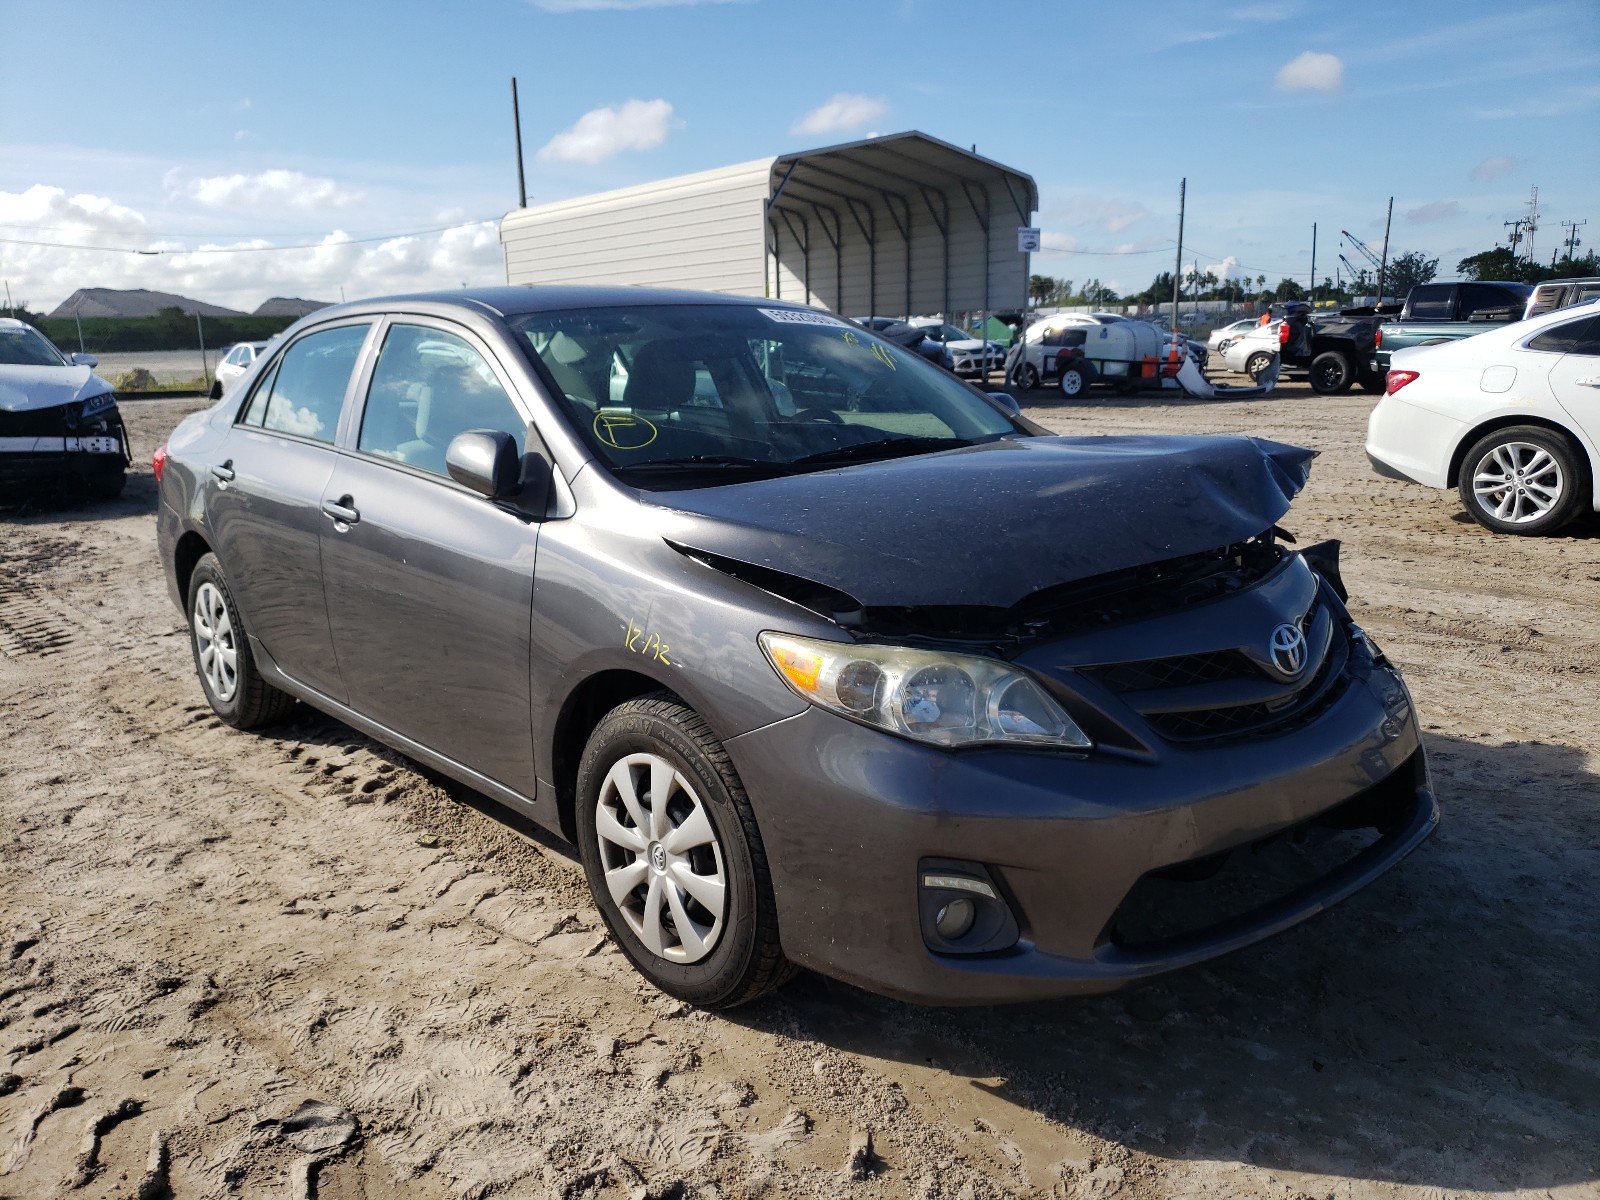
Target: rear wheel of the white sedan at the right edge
{"type": "Point", "coordinates": [1561, 489]}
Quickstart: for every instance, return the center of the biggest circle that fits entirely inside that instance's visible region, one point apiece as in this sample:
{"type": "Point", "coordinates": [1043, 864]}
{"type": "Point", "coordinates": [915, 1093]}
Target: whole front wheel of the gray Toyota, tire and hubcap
{"type": "Point", "coordinates": [674, 858]}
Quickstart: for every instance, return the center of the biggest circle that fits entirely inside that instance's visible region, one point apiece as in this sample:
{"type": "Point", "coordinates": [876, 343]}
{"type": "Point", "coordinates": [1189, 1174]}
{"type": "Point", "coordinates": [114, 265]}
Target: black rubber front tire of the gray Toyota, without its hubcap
{"type": "Point", "coordinates": [746, 961]}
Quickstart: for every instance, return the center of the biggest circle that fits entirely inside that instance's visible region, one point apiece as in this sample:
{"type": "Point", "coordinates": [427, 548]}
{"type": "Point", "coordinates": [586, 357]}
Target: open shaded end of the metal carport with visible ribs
{"type": "Point", "coordinates": [900, 225]}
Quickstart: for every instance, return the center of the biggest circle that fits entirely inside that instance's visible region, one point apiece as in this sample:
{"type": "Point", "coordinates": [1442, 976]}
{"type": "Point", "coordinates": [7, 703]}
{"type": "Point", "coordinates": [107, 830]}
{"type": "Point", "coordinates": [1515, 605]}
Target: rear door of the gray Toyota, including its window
{"type": "Point", "coordinates": [265, 500]}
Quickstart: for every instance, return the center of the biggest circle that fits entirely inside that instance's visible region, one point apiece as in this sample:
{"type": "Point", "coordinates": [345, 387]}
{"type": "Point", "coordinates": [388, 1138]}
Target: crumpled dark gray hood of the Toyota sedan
{"type": "Point", "coordinates": [993, 524]}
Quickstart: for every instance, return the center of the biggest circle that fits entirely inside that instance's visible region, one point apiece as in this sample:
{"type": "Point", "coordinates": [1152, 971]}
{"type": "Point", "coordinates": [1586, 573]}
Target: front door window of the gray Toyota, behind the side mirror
{"type": "Point", "coordinates": [428, 388]}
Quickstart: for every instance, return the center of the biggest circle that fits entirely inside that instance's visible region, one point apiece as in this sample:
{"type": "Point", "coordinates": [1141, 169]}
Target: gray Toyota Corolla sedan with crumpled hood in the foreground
{"type": "Point", "coordinates": [818, 655]}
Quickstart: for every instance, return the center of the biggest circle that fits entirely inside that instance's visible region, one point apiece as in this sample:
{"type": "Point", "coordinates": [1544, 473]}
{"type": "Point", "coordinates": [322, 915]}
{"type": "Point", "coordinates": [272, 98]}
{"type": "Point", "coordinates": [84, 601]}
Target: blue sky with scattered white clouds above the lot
{"type": "Point", "coordinates": [196, 129]}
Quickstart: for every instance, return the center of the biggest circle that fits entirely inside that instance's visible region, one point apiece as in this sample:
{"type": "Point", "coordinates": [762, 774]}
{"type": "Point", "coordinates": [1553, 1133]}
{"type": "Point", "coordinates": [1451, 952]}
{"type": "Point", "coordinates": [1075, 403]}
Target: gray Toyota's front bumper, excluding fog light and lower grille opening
{"type": "Point", "coordinates": [1068, 839]}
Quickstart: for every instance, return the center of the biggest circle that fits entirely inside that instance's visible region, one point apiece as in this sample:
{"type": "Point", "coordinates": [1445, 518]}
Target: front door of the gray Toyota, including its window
{"type": "Point", "coordinates": [431, 586]}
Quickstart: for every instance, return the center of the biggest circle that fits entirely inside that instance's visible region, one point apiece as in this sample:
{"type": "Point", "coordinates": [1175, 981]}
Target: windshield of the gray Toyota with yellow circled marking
{"type": "Point", "coordinates": [722, 390]}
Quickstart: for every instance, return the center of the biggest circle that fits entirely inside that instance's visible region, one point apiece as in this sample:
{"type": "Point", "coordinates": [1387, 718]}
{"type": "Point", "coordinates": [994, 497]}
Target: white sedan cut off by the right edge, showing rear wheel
{"type": "Point", "coordinates": [1510, 418]}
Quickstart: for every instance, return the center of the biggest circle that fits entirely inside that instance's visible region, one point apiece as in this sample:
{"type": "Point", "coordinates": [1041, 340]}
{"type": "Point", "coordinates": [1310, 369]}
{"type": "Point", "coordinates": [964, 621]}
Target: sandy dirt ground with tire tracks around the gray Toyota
{"type": "Point", "coordinates": [207, 929]}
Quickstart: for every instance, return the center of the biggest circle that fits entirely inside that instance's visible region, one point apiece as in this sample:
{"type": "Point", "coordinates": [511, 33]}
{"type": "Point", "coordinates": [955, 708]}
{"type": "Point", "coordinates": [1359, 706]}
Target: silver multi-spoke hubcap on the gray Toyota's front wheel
{"type": "Point", "coordinates": [663, 865]}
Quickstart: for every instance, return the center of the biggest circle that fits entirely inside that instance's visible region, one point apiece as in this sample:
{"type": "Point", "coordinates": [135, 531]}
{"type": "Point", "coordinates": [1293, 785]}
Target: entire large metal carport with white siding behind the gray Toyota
{"type": "Point", "coordinates": [902, 225]}
